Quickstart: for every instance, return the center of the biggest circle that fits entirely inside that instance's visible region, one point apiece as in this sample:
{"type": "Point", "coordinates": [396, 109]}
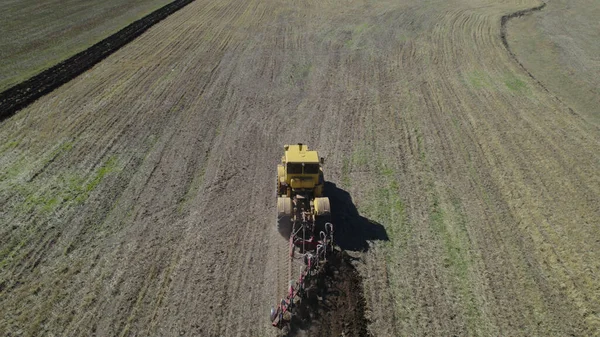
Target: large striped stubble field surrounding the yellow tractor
{"type": "Point", "coordinates": [138, 199]}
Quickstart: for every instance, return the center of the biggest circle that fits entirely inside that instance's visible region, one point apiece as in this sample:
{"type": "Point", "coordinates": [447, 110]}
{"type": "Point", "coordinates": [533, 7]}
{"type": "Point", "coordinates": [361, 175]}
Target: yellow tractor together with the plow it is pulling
{"type": "Point", "coordinates": [303, 216]}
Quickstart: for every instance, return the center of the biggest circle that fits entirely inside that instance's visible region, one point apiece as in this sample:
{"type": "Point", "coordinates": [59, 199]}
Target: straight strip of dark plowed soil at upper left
{"type": "Point", "coordinates": [21, 95]}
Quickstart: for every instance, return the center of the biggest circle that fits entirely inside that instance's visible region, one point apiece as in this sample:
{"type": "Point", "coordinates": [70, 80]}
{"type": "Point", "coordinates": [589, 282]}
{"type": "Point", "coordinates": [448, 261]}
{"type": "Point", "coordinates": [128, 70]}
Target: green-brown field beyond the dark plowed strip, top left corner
{"type": "Point", "coordinates": [36, 35]}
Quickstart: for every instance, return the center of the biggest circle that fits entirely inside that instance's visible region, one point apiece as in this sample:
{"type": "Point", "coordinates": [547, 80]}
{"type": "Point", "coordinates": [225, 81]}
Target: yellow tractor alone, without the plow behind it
{"type": "Point", "coordinates": [300, 185]}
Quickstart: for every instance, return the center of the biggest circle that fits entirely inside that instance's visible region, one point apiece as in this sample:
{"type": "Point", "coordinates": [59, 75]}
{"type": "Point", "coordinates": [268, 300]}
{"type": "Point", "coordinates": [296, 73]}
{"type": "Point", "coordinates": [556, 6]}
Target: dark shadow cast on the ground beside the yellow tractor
{"type": "Point", "coordinates": [352, 231]}
